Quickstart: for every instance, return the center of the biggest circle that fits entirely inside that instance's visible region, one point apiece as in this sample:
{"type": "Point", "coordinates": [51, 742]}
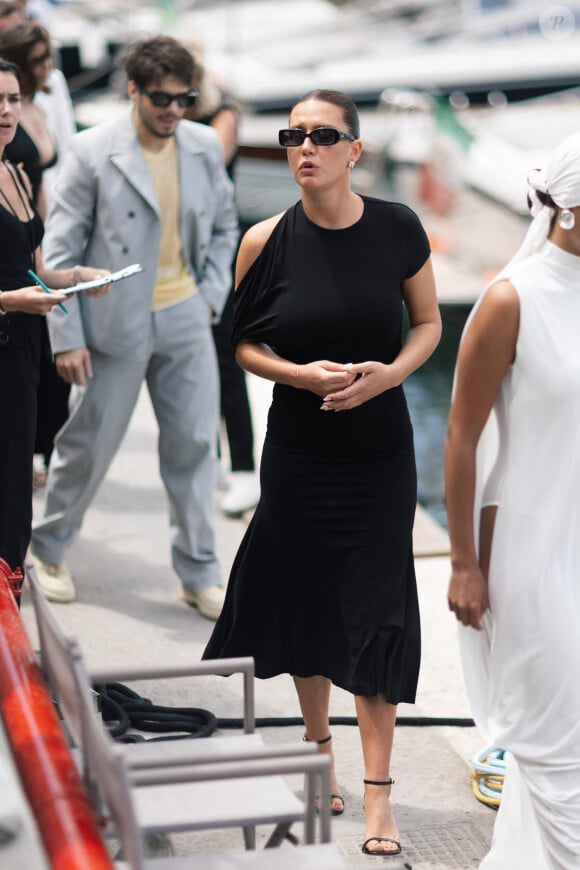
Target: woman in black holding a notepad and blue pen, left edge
{"type": "Point", "coordinates": [23, 306]}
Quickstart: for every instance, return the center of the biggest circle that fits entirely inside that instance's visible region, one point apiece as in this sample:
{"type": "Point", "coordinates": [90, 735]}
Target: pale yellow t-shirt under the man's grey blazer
{"type": "Point", "coordinates": [174, 282]}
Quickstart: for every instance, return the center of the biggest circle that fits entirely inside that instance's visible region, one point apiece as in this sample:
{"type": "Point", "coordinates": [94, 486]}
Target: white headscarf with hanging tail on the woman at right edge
{"type": "Point", "coordinates": [560, 180]}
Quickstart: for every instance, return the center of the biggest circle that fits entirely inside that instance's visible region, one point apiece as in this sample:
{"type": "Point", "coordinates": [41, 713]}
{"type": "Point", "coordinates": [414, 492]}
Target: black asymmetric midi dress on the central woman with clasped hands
{"type": "Point", "coordinates": [323, 582]}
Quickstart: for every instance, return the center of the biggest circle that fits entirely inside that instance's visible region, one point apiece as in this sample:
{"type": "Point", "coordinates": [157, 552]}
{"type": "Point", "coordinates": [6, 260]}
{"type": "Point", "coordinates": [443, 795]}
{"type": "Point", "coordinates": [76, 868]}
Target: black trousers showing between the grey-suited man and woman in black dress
{"type": "Point", "coordinates": [235, 406]}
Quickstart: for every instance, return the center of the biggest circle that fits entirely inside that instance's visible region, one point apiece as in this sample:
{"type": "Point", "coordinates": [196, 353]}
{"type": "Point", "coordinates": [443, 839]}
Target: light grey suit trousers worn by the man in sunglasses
{"type": "Point", "coordinates": [181, 373]}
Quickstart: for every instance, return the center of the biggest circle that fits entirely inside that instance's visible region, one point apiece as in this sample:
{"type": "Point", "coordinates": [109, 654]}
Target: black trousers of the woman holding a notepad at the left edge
{"type": "Point", "coordinates": [19, 378]}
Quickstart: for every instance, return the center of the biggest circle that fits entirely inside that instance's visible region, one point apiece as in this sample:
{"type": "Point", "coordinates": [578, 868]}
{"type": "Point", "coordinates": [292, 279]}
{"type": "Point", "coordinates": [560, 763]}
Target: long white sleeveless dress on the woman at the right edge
{"type": "Point", "coordinates": [523, 672]}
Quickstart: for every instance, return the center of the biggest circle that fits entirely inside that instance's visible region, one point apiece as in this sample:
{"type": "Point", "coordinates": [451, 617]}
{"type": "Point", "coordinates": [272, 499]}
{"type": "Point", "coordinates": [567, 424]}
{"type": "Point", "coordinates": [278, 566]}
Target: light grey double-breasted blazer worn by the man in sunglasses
{"type": "Point", "coordinates": [104, 213]}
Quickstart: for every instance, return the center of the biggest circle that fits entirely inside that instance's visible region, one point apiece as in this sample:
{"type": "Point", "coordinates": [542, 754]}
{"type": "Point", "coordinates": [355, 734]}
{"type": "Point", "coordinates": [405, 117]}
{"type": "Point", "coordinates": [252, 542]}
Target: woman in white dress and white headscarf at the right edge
{"type": "Point", "coordinates": [515, 529]}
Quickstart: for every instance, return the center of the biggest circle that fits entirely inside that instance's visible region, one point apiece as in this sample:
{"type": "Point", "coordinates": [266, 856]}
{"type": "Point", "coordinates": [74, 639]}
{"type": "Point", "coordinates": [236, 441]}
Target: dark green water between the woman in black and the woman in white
{"type": "Point", "coordinates": [428, 392]}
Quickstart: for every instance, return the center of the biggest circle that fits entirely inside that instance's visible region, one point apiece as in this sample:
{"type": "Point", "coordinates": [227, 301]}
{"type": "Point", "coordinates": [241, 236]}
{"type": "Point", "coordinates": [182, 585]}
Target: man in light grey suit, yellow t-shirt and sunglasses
{"type": "Point", "coordinates": [146, 188]}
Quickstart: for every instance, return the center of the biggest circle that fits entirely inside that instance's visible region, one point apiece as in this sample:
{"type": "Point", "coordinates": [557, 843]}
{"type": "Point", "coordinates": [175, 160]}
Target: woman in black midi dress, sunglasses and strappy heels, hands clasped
{"type": "Point", "coordinates": [323, 585]}
